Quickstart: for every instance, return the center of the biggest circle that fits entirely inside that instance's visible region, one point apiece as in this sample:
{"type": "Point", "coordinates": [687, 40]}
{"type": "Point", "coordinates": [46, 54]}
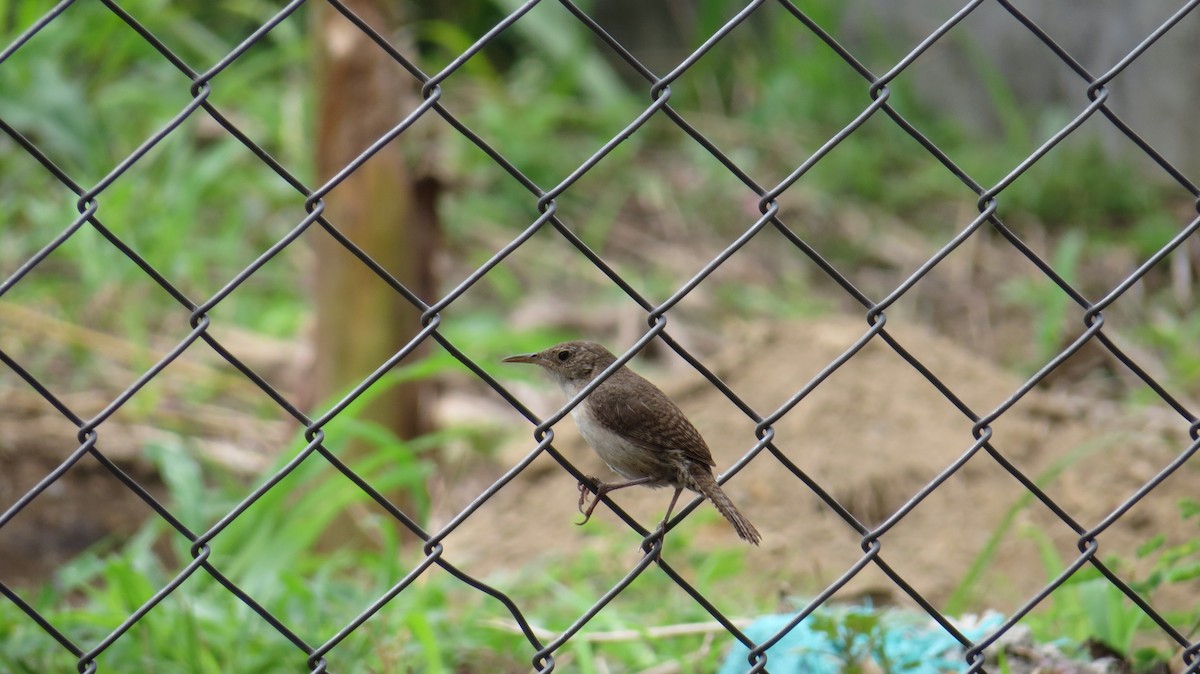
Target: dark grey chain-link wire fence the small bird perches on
{"type": "Point", "coordinates": [1094, 93]}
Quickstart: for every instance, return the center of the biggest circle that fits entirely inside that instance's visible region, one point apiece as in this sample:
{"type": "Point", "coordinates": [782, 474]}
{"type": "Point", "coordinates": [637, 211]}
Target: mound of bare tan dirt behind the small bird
{"type": "Point", "coordinates": [872, 436]}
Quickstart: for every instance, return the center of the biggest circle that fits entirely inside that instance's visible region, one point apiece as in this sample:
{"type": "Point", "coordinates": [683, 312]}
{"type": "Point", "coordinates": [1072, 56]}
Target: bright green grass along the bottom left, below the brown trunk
{"type": "Point", "coordinates": [273, 552]}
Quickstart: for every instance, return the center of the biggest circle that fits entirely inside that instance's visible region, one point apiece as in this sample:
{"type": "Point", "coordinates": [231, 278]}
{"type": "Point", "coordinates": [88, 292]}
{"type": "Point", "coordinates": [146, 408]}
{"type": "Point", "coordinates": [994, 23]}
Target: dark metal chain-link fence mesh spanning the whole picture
{"type": "Point", "coordinates": [1091, 105]}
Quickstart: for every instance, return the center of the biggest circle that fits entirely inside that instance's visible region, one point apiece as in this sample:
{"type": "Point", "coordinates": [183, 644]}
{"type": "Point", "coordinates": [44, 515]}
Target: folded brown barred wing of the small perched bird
{"type": "Point", "coordinates": [638, 416]}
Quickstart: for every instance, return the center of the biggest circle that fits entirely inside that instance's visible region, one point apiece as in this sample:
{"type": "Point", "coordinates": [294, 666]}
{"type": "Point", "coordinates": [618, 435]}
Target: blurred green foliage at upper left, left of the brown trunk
{"type": "Point", "coordinates": [88, 91]}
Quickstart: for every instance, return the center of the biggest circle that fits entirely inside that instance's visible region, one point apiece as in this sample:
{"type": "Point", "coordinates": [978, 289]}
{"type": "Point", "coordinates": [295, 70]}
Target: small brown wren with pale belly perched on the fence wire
{"type": "Point", "coordinates": [637, 430]}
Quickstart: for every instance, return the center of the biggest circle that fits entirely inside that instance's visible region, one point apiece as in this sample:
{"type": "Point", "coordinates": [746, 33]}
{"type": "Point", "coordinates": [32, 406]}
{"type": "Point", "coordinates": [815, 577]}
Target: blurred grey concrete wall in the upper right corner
{"type": "Point", "coordinates": [1159, 95]}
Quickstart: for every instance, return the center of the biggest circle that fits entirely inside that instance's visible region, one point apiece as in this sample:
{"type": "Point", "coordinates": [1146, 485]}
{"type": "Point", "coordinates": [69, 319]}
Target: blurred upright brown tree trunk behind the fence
{"type": "Point", "coordinates": [362, 322]}
